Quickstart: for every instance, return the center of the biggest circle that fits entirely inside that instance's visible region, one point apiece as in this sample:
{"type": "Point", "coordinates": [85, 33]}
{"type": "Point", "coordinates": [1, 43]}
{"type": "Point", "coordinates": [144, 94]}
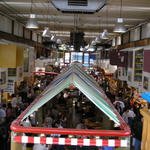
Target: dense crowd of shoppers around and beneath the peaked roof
{"type": "Point", "coordinates": [55, 118]}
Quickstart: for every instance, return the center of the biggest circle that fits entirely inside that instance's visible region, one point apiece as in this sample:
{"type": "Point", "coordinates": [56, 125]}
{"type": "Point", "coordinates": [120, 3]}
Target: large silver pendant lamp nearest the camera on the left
{"type": "Point", "coordinates": [32, 22]}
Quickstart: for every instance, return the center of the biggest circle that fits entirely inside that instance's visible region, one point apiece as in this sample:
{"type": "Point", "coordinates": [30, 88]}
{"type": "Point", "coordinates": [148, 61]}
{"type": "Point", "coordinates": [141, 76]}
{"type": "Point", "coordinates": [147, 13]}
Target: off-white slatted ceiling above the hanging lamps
{"type": "Point", "coordinates": [134, 12]}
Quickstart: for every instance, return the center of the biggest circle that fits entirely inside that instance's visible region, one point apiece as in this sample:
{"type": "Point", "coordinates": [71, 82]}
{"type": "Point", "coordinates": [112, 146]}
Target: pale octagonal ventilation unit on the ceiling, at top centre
{"type": "Point", "coordinates": [78, 6]}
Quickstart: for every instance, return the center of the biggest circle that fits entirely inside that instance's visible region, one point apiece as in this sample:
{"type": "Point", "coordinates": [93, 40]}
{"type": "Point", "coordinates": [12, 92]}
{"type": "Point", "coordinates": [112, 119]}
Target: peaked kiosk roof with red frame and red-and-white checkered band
{"type": "Point", "coordinates": [74, 75]}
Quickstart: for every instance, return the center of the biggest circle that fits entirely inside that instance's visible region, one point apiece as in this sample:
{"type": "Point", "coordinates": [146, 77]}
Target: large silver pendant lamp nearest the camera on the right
{"type": "Point", "coordinates": [120, 27]}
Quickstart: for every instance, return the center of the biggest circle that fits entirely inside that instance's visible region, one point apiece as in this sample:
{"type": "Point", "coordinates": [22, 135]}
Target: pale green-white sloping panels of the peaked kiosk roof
{"type": "Point", "coordinates": [75, 75]}
